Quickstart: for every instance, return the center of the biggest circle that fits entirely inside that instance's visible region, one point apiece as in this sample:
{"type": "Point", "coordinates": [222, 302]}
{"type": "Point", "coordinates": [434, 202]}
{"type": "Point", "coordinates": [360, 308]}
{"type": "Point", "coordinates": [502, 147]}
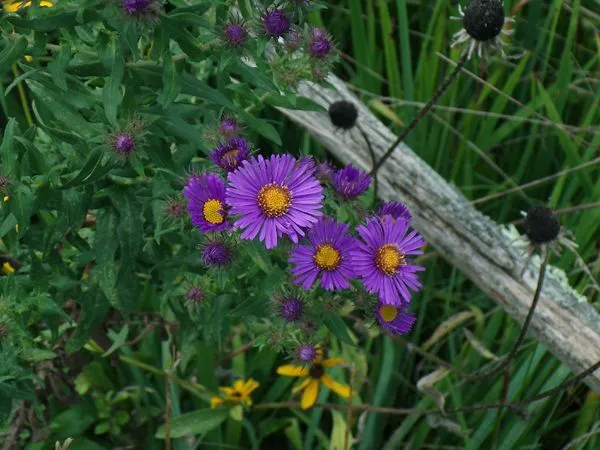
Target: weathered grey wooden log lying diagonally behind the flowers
{"type": "Point", "coordinates": [482, 249]}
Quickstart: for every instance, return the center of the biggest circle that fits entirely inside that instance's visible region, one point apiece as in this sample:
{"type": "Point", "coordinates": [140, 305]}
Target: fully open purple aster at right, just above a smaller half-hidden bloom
{"type": "Point", "coordinates": [381, 259]}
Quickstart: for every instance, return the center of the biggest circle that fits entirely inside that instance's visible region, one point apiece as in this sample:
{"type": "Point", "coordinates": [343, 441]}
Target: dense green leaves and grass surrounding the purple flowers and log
{"type": "Point", "coordinates": [97, 340]}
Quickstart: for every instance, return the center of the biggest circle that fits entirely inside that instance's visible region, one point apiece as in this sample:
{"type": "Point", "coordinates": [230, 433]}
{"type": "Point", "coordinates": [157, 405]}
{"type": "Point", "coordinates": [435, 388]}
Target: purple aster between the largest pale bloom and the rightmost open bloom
{"type": "Point", "coordinates": [328, 254]}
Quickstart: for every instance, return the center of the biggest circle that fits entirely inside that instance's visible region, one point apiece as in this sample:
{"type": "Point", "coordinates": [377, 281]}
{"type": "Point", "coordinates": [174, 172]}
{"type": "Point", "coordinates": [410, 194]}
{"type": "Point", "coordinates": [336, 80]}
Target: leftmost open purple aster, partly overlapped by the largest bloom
{"type": "Point", "coordinates": [206, 202]}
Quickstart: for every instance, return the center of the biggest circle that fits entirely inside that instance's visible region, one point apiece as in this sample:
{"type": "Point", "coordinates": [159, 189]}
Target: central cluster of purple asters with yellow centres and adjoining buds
{"type": "Point", "coordinates": [281, 197]}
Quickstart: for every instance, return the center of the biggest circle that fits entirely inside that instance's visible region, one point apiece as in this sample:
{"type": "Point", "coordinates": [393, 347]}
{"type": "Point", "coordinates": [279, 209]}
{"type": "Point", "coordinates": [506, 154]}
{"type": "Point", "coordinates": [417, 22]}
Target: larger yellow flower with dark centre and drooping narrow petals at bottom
{"type": "Point", "coordinates": [315, 375]}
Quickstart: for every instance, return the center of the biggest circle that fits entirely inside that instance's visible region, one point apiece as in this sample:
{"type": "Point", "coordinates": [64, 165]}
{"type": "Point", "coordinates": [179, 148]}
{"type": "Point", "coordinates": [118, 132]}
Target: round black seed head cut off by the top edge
{"type": "Point", "coordinates": [484, 19]}
